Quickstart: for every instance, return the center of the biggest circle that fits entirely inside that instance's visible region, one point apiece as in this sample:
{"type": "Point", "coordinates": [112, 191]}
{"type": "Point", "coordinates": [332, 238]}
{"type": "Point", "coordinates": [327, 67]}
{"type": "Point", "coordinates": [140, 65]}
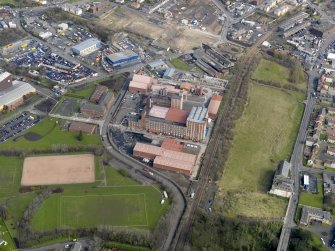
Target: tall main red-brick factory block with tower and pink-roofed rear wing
{"type": "Point", "coordinates": [164, 111]}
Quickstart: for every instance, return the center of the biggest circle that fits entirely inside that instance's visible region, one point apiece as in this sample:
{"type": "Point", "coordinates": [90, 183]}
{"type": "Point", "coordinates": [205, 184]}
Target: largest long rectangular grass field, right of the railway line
{"type": "Point", "coordinates": [264, 136]}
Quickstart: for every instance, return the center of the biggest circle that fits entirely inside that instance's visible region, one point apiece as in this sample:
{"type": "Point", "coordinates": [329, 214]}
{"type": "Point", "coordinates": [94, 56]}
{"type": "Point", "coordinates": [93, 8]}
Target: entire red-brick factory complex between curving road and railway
{"type": "Point", "coordinates": [179, 116]}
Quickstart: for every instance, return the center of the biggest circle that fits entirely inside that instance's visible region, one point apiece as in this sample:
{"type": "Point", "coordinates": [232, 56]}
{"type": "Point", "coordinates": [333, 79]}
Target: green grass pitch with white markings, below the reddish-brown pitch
{"type": "Point", "coordinates": [125, 206]}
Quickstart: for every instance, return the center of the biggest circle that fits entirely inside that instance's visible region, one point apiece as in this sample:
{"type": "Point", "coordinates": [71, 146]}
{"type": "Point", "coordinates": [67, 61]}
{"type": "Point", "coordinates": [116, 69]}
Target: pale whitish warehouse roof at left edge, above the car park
{"type": "Point", "coordinates": [15, 92]}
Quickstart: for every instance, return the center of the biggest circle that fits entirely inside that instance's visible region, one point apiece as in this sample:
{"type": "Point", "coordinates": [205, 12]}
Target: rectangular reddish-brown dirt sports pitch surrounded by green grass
{"type": "Point", "coordinates": [60, 169]}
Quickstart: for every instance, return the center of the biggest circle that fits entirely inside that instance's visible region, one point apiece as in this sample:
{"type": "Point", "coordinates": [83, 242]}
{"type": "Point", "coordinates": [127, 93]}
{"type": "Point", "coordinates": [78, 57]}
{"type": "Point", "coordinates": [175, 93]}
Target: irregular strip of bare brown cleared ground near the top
{"type": "Point", "coordinates": [180, 38]}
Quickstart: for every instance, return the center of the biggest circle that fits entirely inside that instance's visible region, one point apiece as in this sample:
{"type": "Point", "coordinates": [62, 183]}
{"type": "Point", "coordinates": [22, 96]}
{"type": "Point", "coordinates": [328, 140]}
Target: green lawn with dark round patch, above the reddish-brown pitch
{"type": "Point", "coordinates": [52, 134]}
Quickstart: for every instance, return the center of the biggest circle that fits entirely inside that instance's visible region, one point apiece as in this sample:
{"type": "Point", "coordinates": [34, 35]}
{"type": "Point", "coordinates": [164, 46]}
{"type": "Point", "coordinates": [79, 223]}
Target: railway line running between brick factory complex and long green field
{"type": "Point", "coordinates": [205, 172]}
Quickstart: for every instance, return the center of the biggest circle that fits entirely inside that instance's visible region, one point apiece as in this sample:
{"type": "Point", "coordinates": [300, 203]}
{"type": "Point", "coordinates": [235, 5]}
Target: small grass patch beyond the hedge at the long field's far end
{"type": "Point", "coordinates": [269, 70]}
